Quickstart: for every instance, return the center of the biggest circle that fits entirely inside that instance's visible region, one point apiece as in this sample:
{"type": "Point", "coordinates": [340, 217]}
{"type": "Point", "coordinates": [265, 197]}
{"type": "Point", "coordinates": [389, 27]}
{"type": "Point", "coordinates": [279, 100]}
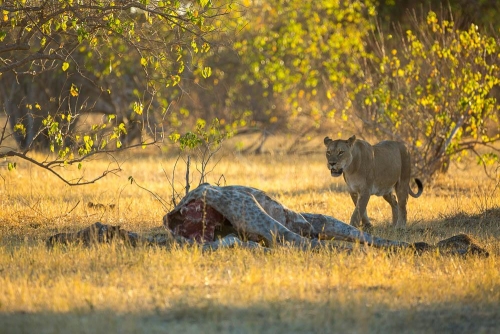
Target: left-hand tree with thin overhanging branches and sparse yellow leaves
{"type": "Point", "coordinates": [61, 60]}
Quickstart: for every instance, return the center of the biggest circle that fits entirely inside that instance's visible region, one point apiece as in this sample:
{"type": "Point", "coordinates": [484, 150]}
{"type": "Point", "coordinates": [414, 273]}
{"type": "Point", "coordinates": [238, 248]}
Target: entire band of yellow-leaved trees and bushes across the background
{"type": "Point", "coordinates": [81, 78]}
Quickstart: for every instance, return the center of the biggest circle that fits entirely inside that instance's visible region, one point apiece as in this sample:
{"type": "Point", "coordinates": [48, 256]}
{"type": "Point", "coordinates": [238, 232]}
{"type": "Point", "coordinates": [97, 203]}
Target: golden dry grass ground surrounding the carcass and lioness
{"type": "Point", "coordinates": [113, 288]}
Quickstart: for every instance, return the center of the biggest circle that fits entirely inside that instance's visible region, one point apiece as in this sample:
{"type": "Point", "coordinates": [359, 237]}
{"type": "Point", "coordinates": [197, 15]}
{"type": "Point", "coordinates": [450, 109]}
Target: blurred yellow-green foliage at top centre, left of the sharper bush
{"type": "Point", "coordinates": [298, 54]}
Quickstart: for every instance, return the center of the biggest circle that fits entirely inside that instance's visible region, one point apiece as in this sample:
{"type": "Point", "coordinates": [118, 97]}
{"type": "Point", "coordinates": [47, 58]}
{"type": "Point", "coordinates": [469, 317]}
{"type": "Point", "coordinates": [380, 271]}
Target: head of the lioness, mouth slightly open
{"type": "Point", "coordinates": [338, 154]}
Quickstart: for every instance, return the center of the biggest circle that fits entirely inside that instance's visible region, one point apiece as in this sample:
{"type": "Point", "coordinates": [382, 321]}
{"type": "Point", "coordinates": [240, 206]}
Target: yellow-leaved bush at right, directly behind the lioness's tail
{"type": "Point", "coordinates": [435, 92]}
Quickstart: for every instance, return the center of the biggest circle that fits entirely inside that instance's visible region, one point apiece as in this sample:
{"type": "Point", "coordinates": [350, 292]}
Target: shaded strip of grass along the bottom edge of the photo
{"type": "Point", "coordinates": [294, 316]}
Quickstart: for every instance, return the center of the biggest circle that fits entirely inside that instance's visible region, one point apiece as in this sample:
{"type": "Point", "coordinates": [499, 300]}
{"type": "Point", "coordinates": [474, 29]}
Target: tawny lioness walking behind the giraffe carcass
{"type": "Point", "coordinates": [373, 170]}
